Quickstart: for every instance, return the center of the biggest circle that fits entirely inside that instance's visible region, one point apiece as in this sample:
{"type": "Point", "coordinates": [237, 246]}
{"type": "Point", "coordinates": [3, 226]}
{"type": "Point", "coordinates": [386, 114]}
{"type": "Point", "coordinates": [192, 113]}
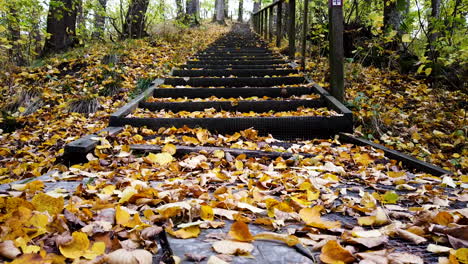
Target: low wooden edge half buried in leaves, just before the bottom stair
{"type": "Point", "coordinates": [183, 150]}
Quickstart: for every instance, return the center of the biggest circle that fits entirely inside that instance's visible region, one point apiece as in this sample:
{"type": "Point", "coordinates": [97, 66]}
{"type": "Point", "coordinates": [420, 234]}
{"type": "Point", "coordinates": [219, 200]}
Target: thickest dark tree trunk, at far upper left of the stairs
{"type": "Point", "coordinates": [61, 26]}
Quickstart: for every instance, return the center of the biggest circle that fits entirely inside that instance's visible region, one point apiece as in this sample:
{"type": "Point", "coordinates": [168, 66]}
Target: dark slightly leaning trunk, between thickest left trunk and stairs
{"type": "Point", "coordinates": [134, 26]}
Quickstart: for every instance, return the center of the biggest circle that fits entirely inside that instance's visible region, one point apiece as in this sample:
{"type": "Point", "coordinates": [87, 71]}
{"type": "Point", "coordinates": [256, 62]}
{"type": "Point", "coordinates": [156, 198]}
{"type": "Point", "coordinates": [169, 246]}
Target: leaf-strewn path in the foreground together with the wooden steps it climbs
{"type": "Point", "coordinates": [186, 174]}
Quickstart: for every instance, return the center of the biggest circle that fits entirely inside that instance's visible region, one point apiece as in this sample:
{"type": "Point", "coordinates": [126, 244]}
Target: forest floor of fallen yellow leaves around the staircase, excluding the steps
{"type": "Point", "coordinates": [369, 201]}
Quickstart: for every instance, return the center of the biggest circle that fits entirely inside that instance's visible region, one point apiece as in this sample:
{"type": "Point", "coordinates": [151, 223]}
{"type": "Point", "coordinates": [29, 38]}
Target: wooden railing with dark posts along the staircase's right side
{"type": "Point", "coordinates": [262, 21]}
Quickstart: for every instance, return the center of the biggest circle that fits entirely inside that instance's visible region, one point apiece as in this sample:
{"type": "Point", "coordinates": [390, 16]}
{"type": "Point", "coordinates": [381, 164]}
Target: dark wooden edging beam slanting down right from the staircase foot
{"type": "Point", "coordinates": [407, 160]}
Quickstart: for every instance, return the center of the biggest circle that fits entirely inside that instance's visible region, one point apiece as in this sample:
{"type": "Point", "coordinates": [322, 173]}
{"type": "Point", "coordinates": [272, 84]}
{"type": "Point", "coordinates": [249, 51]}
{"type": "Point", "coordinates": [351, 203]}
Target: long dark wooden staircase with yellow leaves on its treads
{"type": "Point", "coordinates": [236, 77]}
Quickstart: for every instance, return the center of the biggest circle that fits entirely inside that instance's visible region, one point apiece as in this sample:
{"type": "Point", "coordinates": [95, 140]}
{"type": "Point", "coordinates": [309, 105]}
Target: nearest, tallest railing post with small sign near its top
{"type": "Point", "coordinates": [336, 49]}
